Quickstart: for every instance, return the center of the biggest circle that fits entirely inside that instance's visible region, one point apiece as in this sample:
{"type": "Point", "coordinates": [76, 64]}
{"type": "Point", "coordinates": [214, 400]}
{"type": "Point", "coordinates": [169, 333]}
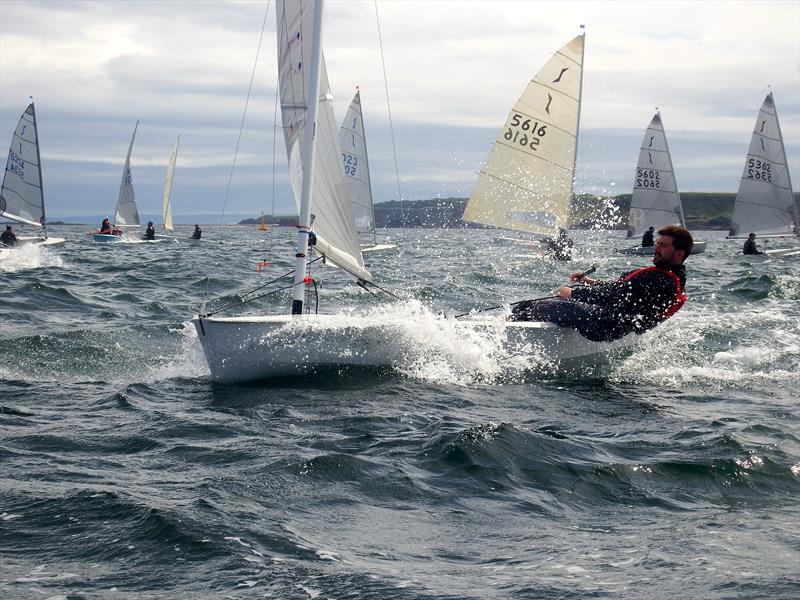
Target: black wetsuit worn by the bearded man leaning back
{"type": "Point", "coordinates": [608, 311]}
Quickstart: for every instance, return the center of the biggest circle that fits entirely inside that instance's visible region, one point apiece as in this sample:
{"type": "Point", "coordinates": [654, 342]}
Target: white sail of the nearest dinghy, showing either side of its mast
{"type": "Point", "coordinates": [333, 221]}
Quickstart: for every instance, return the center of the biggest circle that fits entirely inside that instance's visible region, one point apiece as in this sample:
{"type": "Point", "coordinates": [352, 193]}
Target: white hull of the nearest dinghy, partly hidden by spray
{"type": "Point", "coordinates": [241, 349]}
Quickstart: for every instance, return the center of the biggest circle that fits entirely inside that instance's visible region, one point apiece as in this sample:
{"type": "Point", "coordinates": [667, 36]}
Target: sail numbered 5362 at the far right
{"type": "Point", "coordinates": [765, 203]}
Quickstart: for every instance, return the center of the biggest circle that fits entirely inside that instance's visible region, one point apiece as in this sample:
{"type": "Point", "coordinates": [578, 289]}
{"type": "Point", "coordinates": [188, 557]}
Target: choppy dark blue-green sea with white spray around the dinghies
{"type": "Point", "coordinates": [670, 471]}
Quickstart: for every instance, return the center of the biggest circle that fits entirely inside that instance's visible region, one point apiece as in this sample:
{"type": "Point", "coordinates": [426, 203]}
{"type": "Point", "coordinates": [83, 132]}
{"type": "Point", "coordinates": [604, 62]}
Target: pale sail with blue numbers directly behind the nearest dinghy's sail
{"type": "Point", "coordinates": [356, 165]}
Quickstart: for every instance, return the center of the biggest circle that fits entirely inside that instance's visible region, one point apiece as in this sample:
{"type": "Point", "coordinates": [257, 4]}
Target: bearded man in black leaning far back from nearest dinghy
{"type": "Point", "coordinates": [636, 302]}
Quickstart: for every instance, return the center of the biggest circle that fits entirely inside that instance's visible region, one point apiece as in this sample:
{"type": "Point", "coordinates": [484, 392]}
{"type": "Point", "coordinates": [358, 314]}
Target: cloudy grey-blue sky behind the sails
{"type": "Point", "coordinates": [453, 71]}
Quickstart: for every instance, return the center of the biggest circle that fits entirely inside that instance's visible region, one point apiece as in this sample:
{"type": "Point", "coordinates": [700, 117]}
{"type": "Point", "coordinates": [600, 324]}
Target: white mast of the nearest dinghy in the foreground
{"type": "Point", "coordinates": [312, 109]}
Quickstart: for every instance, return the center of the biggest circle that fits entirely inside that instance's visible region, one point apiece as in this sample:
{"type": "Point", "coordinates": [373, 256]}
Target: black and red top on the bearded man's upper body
{"type": "Point", "coordinates": [638, 300]}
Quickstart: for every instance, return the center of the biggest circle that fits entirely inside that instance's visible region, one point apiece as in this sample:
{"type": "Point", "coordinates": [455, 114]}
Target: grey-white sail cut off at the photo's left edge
{"type": "Point", "coordinates": [21, 196]}
